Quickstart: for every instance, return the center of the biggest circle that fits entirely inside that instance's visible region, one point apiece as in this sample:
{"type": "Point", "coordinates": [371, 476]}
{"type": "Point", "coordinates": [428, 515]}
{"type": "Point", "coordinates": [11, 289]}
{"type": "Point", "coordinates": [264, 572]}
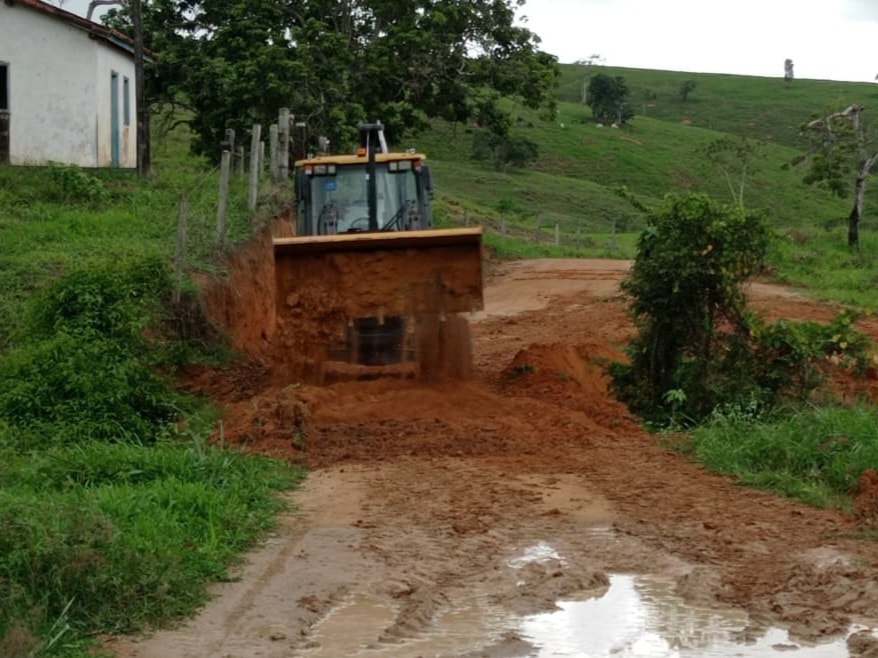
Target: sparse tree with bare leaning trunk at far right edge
{"type": "Point", "coordinates": [842, 147]}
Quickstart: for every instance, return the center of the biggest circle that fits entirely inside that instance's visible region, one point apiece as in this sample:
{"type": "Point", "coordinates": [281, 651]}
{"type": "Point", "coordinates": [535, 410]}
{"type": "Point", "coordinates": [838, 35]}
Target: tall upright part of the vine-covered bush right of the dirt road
{"type": "Point", "coordinates": [685, 297]}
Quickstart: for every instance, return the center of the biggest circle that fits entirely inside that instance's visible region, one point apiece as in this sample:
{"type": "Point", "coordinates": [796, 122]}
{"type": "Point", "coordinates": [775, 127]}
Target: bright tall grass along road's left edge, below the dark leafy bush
{"type": "Point", "coordinates": [112, 537]}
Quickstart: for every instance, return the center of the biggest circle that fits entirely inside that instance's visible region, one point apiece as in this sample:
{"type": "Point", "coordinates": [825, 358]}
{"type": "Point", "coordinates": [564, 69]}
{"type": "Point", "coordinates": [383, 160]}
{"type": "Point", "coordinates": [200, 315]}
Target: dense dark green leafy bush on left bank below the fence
{"type": "Point", "coordinates": [83, 369]}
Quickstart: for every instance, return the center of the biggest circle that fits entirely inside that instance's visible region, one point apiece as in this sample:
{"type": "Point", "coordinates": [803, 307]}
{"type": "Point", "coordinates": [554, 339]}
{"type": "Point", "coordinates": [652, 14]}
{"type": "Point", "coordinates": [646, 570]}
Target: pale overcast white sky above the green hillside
{"type": "Point", "coordinates": [826, 39]}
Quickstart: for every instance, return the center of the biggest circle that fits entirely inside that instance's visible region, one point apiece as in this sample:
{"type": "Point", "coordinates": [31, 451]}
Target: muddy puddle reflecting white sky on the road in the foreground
{"type": "Point", "coordinates": [635, 616]}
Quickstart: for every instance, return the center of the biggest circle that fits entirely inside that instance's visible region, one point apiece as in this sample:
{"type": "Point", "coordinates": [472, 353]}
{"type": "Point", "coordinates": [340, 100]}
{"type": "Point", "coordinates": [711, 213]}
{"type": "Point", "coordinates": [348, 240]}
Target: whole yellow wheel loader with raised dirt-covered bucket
{"type": "Point", "coordinates": [367, 281]}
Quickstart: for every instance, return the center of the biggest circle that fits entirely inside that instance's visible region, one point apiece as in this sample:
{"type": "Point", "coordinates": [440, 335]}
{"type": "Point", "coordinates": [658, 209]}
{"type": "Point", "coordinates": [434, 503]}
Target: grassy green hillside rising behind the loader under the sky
{"type": "Point", "coordinates": [581, 165]}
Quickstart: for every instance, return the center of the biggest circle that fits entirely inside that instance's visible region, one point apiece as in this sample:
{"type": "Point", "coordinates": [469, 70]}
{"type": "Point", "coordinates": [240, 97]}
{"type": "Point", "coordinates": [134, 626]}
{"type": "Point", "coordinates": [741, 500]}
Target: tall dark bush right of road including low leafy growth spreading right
{"type": "Point", "coordinates": [697, 347]}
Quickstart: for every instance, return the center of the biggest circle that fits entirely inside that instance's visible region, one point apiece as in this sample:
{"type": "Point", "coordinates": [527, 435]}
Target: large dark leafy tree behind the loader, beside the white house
{"type": "Point", "coordinates": [336, 63]}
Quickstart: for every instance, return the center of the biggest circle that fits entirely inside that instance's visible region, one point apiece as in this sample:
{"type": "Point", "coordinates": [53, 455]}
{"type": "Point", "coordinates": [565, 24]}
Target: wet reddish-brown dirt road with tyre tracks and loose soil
{"type": "Point", "coordinates": [438, 520]}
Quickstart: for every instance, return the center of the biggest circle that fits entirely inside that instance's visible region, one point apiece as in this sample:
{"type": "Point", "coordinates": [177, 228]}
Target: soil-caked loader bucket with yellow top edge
{"type": "Point", "coordinates": [357, 297]}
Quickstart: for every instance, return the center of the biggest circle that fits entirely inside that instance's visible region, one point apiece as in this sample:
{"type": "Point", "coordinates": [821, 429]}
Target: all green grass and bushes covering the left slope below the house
{"type": "Point", "coordinates": [115, 511]}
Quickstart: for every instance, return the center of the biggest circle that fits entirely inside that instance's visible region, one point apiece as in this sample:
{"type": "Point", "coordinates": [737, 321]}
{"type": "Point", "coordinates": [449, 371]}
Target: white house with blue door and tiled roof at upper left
{"type": "Point", "coordinates": [66, 89]}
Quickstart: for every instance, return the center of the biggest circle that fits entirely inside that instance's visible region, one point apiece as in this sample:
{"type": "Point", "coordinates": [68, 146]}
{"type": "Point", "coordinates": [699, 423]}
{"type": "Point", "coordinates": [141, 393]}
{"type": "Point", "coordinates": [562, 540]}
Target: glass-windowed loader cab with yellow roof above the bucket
{"type": "Point", "coordinates": [334, 195]}
